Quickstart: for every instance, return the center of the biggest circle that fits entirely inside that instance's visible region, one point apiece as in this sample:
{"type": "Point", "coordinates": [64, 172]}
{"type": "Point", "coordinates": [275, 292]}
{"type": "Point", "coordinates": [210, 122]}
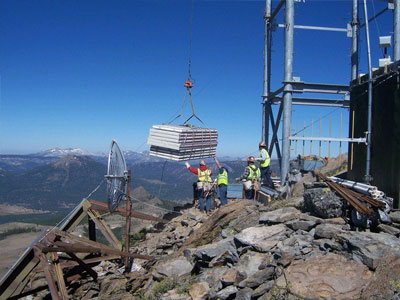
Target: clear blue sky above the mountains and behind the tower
{"type": "Point", "coordinates": [80, 73]}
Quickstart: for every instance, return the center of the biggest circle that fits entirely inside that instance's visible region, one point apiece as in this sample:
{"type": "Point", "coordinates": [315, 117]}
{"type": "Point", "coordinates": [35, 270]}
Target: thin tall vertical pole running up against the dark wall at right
{"type": "Point", "coordinates": [368, 177]}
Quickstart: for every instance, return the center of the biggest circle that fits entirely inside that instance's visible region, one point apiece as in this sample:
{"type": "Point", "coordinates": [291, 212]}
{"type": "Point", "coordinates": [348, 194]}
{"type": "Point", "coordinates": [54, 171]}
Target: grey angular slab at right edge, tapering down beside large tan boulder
{"type": "Point", "coordinates": [369, 247]}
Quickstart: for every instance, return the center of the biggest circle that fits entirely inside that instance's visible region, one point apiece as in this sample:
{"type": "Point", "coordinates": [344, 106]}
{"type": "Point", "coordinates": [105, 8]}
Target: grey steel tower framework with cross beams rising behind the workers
{"type": "Point", "coordinates": [284, 95]}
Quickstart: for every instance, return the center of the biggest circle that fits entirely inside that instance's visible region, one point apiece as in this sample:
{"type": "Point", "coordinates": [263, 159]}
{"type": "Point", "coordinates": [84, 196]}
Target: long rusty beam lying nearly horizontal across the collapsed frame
{"type": "Point", "coordinates": [67, 247]}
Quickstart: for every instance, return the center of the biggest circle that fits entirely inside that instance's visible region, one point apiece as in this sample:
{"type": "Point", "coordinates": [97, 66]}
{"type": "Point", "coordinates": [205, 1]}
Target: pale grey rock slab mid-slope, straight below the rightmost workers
{"type": "Point", "coordinates": [262, 238]}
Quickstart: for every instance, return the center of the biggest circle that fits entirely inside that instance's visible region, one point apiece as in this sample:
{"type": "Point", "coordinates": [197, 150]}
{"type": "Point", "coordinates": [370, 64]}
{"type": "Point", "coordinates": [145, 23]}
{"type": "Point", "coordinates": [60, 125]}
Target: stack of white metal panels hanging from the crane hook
{"type": "Point", "coordinates": [181, 143]}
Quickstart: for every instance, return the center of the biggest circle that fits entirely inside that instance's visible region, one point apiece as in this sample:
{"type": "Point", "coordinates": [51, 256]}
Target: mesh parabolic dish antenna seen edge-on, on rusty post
{"type": "Point", "coordinates": [117, 177]}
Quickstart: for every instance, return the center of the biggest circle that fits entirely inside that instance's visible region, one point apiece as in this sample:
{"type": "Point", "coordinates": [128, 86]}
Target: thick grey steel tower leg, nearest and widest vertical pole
{"type": "Point", "coordinates": [287, 94]}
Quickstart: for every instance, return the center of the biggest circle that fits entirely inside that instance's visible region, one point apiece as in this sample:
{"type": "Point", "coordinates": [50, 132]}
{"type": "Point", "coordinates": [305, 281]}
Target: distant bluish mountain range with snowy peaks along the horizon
{"type": "Point", "coordinates": [58, 180]}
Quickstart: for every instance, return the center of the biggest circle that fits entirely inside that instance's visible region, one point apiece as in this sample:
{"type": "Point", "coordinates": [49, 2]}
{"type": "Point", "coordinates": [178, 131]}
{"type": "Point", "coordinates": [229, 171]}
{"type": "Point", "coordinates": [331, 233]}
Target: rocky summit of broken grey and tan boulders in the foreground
{"type": "Point", "coordinates": [246, 250]}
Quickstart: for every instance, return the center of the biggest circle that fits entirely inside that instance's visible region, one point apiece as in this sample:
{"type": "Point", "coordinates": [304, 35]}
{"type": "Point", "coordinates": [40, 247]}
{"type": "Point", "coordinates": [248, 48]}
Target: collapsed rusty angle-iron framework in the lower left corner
{"type": "Point", "coordinates": [52, 246]}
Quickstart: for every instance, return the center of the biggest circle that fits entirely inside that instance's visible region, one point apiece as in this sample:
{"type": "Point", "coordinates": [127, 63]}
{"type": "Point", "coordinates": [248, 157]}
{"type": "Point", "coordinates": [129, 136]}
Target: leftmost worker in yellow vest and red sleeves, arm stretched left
{"type": "Point", "coordinates": [203, 183]}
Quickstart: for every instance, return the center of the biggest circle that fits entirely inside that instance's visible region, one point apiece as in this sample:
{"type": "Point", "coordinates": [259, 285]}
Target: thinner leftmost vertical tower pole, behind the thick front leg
{"type": "Point", "coordinates": [267, 71]}
